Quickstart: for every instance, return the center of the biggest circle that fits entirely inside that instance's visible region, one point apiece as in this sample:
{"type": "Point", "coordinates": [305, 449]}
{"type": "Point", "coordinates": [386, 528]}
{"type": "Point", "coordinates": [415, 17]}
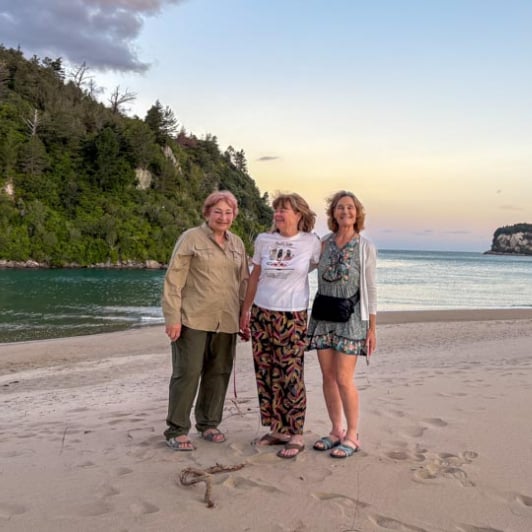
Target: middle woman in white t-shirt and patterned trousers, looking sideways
{"type": "Point", "coordinates": [275, 309]}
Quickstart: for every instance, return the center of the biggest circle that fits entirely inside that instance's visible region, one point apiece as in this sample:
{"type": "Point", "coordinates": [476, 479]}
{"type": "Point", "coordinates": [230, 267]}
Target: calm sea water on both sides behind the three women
{"type": "Point", "coordinates": [40, 304]}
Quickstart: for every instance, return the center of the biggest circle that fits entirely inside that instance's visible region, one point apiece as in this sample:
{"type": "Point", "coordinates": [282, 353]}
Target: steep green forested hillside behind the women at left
{"type": "Point", "coordinates": [81, 183]}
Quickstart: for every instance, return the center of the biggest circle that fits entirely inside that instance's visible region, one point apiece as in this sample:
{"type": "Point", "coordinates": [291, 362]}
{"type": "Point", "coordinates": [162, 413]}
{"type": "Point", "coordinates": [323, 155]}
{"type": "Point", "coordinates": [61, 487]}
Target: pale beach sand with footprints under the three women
{"type": "Point", "coordinates": [445, 430]}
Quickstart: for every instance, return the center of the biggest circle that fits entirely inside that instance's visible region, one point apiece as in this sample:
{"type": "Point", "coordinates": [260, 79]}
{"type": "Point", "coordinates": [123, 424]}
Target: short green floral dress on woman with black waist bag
{"type": "Point", "coordinates": [339, 276]}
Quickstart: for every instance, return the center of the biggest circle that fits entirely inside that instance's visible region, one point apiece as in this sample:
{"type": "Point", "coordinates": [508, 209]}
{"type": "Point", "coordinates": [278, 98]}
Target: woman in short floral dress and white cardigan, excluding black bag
{"type": "Point", "coordinates": [347, 266]}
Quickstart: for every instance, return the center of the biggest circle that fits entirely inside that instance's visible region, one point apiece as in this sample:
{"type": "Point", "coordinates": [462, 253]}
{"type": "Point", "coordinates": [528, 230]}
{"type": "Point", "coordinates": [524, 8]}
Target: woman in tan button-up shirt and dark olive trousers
{"type": "Point", "coordinates": [203, 289]}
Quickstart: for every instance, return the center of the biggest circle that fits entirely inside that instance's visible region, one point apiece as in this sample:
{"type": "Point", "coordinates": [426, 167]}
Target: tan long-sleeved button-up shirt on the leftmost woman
{"type": "Point", "coordinates": [205, 283]}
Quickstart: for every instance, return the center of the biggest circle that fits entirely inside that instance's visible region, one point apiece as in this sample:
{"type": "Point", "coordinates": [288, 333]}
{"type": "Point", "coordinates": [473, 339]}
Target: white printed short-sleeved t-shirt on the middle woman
{"type": "Point", "coordinates": [285, 263]}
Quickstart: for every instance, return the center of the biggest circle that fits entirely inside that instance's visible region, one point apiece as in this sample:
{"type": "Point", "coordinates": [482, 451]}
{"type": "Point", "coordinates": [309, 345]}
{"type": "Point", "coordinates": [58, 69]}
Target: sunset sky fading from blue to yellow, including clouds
{"type": "Point", "coordinates": [422, 108]}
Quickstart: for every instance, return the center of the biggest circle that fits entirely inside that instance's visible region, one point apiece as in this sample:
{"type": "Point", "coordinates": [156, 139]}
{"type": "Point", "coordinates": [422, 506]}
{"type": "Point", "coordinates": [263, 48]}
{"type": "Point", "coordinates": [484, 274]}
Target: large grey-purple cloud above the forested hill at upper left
{"type": "Point", "coordinates": [100, 33]}
